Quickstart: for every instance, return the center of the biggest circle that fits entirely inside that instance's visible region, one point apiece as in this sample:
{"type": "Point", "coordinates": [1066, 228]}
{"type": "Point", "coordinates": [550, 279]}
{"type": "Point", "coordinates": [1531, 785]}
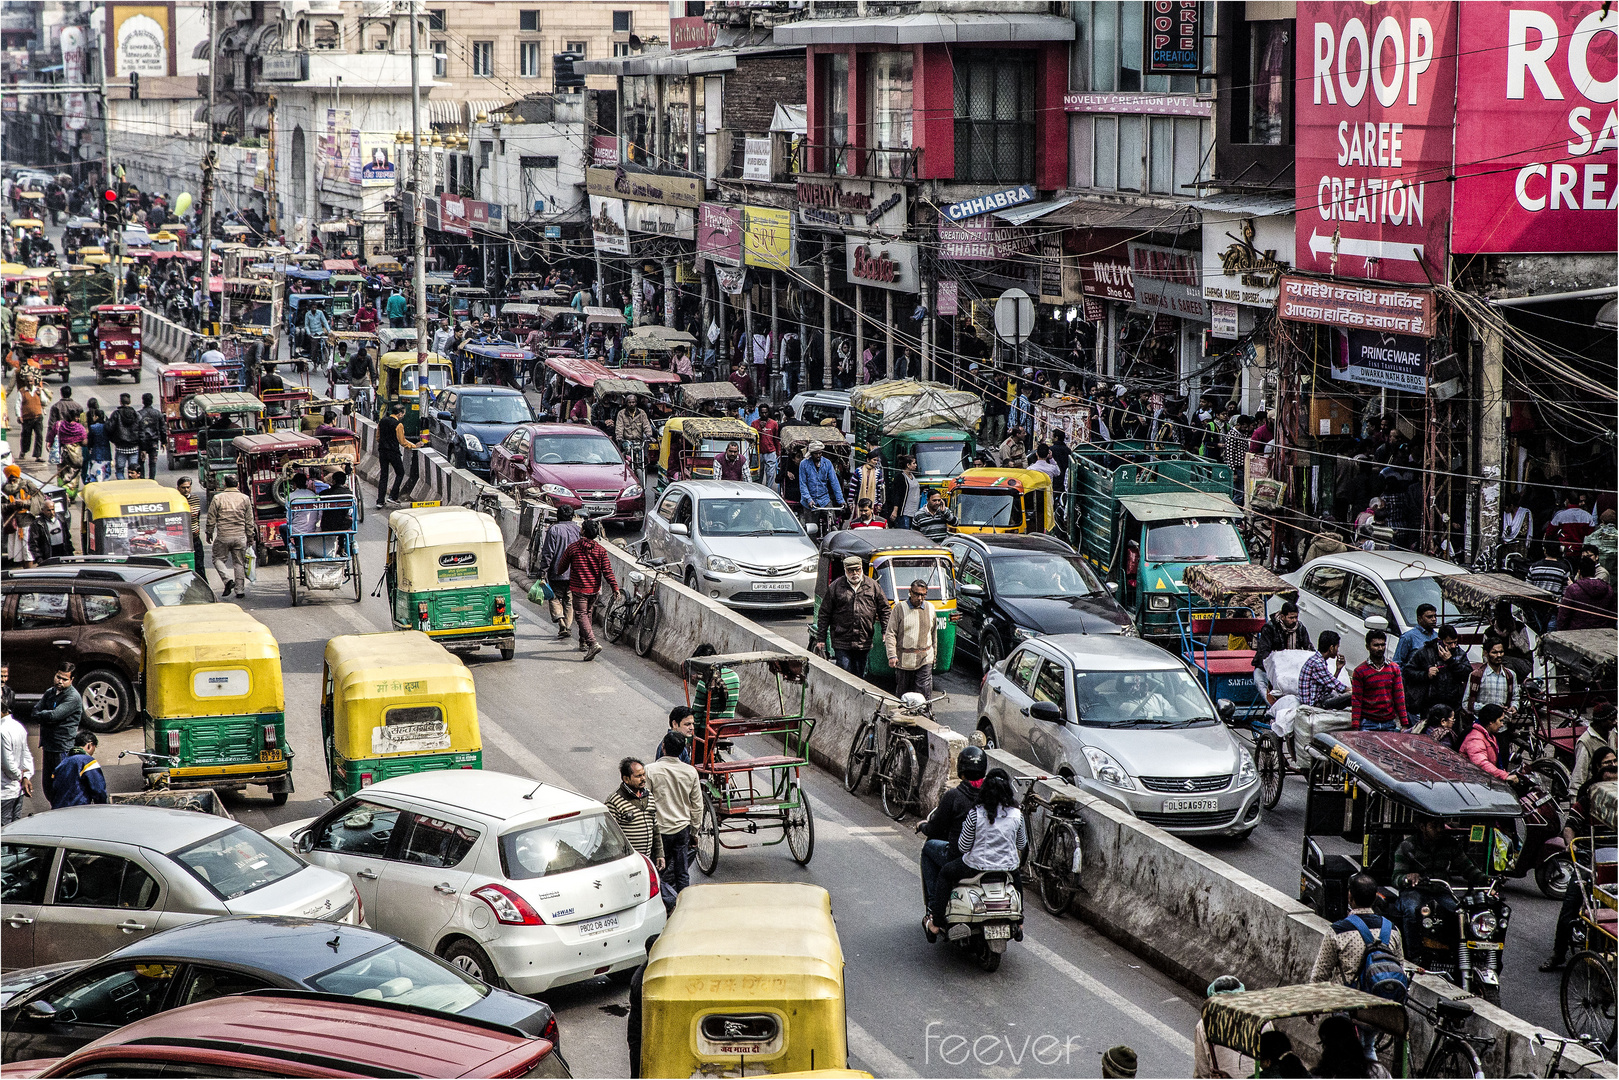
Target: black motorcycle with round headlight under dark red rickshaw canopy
{"type": "Point", "coordinates": [1466, 945]}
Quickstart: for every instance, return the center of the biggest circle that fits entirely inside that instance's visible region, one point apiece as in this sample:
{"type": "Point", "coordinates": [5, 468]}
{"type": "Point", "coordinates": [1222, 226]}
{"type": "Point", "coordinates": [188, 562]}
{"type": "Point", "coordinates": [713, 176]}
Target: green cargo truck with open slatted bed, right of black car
{"type": "Point", "coordinates": [1141, 516]}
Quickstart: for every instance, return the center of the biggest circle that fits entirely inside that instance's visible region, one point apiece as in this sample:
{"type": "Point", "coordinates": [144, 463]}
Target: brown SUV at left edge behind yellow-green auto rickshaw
{"type": "Point", "coordinates": [88, 610]}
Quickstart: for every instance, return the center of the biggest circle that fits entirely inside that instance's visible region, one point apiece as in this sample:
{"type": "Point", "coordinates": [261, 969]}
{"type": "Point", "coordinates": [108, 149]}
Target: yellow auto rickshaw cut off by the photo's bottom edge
{"type": "Point", "coordinates": [747, 979]}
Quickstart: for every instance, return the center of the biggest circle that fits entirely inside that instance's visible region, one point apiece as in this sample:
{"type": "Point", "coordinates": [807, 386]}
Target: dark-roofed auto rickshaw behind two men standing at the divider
{"type": "Point", "coordinates": [894, 559]}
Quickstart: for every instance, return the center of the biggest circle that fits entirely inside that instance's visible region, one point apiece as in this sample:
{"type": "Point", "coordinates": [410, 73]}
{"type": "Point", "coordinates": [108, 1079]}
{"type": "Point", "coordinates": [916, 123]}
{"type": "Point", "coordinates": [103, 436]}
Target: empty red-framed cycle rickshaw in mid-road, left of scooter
{"type": "Point", "coordinates": [750, 796]}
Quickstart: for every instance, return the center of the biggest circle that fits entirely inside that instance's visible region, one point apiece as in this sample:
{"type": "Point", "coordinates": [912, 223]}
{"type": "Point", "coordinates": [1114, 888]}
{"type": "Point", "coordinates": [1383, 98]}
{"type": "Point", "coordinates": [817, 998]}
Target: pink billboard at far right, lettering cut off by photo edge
{"type": "Point", "coordinates": [1537, 134]}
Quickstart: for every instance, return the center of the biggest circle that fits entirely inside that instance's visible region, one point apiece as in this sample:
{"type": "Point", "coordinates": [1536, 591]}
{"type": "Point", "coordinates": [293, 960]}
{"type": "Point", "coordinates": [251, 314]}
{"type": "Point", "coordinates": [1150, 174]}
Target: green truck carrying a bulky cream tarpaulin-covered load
{"type": "Point", "coordinates": [924, 420]}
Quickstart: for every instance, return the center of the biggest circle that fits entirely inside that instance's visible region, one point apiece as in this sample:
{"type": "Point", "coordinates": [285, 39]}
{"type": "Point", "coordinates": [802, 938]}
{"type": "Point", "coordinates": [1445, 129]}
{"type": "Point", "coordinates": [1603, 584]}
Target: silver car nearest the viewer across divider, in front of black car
{"type": "Point", "coordinates": [1129, 723]}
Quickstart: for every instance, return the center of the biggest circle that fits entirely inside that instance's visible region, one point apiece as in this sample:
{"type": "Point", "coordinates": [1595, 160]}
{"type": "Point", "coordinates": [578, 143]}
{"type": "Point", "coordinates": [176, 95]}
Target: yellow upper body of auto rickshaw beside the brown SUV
{"type": "Point", "coordinates": [211, 660]}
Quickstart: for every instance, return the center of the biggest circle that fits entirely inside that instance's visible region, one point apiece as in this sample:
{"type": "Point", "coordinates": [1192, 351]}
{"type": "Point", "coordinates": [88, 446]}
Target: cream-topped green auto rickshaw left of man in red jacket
{"type": "Point", "coordinates": [448, 577]}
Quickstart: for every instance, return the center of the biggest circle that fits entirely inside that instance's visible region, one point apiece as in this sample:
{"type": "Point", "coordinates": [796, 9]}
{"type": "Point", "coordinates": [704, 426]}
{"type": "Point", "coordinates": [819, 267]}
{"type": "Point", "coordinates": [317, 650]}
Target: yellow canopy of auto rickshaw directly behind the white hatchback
{"type": "Point", "coordinates": [373, 674]}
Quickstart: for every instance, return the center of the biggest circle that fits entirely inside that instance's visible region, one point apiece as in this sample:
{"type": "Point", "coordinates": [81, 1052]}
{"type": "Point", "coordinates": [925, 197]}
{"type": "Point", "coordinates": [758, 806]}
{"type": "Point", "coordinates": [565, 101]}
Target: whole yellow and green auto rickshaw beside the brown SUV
{"type": "Point", "coordinates": [216, 715]}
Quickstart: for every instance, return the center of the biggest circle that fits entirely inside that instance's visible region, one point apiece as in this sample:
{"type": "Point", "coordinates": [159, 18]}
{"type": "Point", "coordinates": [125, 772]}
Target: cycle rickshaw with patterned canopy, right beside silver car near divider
{"type": "Point", "coordinates": [1226, 608]}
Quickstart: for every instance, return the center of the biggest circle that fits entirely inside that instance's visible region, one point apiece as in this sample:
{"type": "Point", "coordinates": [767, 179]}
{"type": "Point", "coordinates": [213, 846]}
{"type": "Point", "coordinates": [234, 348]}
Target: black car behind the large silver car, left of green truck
{"type": "Point", "coordinates": [1013, 587]}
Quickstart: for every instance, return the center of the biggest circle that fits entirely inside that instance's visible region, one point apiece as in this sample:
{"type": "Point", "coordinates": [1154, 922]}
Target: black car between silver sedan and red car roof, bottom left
{"type": "Point", "coordinates": [77, 1005]}
